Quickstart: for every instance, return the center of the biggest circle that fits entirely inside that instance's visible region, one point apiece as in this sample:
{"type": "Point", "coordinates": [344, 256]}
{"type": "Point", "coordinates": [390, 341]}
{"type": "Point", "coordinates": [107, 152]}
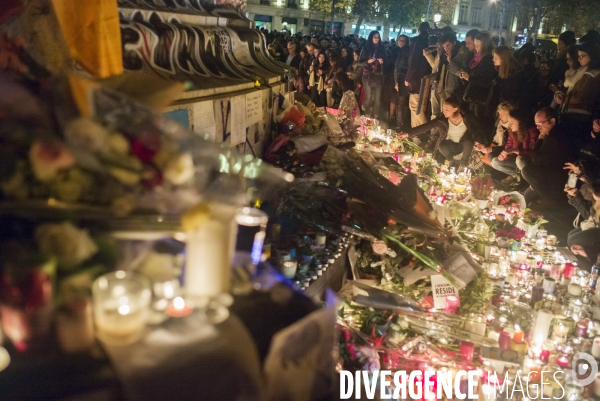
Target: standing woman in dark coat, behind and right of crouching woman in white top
{"type": "Point", "coordinates": [480, 77]}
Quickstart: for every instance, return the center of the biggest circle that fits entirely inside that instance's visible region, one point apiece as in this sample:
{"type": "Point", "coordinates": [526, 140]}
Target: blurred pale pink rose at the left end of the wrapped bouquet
{"type": "Point", "coordinates": [48, 158]}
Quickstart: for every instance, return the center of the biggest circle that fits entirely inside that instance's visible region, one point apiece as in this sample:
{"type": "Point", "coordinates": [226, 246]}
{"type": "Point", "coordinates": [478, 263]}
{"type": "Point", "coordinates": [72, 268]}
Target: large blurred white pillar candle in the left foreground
{"type": "Point", "coordinates": [210, 248]}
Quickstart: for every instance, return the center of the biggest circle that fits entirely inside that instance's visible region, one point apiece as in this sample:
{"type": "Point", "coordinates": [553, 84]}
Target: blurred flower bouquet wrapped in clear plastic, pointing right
{"type": "Point", "coordinates": [118, 156]}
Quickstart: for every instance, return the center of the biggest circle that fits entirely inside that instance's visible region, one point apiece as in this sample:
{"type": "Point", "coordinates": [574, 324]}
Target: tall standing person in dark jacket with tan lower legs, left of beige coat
{"type": "Point", "coordinates": [418, 67]}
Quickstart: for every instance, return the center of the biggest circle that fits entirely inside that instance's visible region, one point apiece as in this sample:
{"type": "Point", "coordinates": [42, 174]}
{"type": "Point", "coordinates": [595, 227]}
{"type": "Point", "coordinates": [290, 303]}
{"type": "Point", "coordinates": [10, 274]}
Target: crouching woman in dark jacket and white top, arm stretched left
{"type": "Point", "coordinates": [457, 132]}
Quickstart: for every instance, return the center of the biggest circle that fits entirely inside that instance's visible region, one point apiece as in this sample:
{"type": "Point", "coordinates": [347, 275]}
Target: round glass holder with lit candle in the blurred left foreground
{"type": "Point", "coordinates": [121, 307]}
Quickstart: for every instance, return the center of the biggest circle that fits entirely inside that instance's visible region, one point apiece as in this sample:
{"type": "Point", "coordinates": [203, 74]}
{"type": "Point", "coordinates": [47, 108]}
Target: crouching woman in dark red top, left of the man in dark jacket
{"type": "Point", "coordinates": [521, 140]}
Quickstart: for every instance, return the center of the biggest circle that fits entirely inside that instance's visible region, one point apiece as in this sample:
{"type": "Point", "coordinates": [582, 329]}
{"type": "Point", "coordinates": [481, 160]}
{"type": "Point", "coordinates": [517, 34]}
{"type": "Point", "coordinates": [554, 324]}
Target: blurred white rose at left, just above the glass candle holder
{"type": "Point", "coordinates": [65, 242]}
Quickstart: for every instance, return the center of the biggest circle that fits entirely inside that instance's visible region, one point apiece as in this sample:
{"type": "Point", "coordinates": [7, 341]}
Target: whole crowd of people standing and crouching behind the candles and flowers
{"type": "Point", "coordinates": [530, 117]}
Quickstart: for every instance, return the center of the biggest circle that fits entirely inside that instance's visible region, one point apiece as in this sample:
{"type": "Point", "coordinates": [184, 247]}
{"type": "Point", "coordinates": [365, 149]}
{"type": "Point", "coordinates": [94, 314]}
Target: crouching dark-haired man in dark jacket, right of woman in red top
{"type": "Point", "coordinates": [543, 168]}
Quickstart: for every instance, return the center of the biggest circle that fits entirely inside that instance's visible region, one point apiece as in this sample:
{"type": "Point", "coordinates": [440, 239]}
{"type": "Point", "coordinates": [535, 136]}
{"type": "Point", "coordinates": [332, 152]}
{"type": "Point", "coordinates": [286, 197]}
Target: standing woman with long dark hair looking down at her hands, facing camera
{"type": "Point", "coordinates": [372, 58]}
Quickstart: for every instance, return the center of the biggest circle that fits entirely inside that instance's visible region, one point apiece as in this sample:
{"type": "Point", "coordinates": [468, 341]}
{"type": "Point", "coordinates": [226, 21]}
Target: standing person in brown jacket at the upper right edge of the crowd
{"type": "Point", "coordinates": [578, 104]}
